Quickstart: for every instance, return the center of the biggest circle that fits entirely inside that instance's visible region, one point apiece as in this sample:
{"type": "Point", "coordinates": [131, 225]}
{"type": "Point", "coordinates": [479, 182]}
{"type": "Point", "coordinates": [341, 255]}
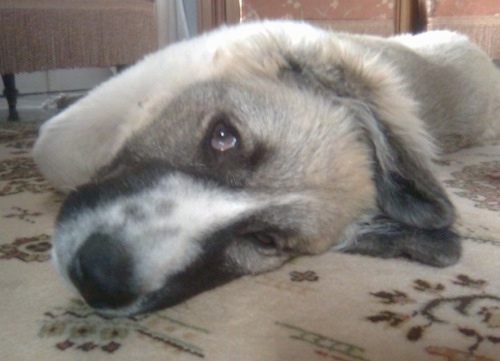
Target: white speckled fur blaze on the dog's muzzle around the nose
{"type": "Point", "coordinates": [174, 215]}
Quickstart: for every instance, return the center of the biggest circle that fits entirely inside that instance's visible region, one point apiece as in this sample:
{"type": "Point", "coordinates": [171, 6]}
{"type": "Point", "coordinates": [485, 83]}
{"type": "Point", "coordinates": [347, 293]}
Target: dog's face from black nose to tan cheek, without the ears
{"type": "Point", "coordinates": [245, 182]}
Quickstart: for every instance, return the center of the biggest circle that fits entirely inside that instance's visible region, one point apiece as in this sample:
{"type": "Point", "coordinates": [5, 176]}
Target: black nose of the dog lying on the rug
{"type": "Point", "coordinates": [102, 271]}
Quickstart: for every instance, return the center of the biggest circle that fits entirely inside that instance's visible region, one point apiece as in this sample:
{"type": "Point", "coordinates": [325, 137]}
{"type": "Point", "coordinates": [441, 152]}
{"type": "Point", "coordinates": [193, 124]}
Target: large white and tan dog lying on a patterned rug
{"type": "Point", "coordinates": [231, 153]}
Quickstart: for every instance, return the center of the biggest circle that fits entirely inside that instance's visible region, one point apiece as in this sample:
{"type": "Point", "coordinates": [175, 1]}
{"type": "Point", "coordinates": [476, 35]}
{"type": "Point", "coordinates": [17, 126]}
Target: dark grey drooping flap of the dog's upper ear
{"type": "Point", "coordinates": [407, 189]}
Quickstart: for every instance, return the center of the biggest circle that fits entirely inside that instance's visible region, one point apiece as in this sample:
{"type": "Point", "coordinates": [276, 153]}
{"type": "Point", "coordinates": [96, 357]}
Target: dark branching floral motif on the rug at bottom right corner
{"type": "Point", "coordinates": [438, 305]}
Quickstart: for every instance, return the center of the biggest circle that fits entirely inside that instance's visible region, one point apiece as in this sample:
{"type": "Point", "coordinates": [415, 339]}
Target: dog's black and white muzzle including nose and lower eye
{"type": "Point", "coordinates": [158, 237]}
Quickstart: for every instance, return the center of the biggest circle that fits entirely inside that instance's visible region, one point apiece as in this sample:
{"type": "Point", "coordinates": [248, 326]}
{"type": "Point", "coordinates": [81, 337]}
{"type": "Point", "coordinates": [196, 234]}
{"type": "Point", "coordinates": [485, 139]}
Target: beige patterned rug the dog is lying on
{"type": "Point", "coordinates": [330, 307]}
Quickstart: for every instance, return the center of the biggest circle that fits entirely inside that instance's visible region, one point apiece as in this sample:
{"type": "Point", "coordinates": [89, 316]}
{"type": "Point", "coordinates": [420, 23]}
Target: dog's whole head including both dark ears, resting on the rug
{"type": "Point", "coordinates": [238, 174]}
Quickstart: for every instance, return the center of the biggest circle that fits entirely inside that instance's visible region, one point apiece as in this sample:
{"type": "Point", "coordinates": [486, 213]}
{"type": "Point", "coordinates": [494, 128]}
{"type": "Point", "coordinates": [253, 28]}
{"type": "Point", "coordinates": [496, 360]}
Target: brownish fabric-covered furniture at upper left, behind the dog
{"type": "Point", "coordinates": [47, 34]}
